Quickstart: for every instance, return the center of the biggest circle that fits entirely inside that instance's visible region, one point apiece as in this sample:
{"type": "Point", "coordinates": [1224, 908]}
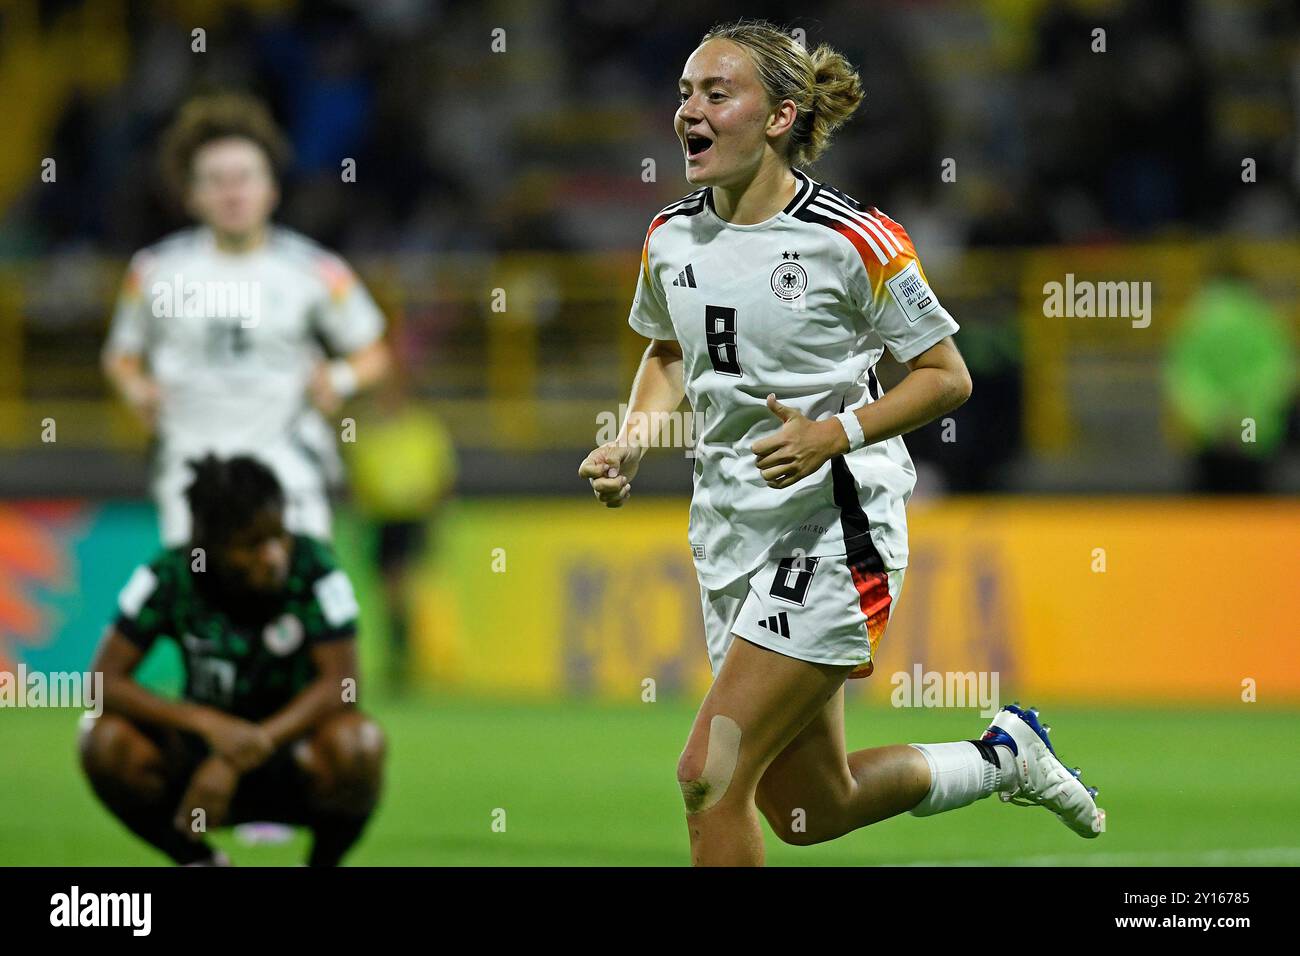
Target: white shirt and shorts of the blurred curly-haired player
{"type": "Point", "coordinates": [232, 341]}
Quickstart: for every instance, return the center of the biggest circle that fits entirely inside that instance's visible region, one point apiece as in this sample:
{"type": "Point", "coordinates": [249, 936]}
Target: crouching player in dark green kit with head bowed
{"type": "Point", "coordinates": [267, 729]}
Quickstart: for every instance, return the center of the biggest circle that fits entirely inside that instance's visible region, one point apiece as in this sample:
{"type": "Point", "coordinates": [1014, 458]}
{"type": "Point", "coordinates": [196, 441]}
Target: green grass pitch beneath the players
{"type": "Point", "coordinates": [593, 784]}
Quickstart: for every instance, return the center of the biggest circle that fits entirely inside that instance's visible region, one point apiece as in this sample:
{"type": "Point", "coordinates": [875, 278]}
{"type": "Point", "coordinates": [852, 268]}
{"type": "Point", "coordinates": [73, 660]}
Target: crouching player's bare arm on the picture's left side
{"type": "Point", "coordinates": [244, 743]}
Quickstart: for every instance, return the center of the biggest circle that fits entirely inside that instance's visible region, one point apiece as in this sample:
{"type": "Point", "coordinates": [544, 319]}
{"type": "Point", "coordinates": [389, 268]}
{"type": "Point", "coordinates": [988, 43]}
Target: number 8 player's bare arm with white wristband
{"type": "Point", "coordinates": [937, 383]}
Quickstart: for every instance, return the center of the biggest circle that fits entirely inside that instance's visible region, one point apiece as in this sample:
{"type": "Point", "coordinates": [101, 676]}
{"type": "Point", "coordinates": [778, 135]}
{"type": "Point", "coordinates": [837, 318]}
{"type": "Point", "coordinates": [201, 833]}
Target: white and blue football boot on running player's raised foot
{"type": "Point", "coordinates": [1042, 778]}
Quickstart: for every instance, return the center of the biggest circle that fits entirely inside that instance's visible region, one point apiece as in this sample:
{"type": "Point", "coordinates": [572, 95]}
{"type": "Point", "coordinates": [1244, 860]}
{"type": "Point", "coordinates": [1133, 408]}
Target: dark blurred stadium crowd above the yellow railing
{"type": "Point", "coordinates": [535, 140]}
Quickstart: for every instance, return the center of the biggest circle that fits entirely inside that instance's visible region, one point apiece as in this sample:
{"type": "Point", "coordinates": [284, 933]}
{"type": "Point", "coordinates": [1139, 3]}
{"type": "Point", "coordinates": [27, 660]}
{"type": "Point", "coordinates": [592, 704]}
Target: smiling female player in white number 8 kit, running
{"type": "Point", "coordinates": [769, 299]}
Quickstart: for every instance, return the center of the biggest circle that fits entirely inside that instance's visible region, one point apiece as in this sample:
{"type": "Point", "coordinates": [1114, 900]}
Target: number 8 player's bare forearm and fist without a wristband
{"type": "Point", "coordinates": [657, 388]}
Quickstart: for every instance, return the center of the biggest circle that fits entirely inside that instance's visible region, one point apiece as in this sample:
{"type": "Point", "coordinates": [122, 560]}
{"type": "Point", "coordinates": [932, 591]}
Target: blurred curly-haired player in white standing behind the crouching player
{"type": "Point", "coordinates": [220, 336]}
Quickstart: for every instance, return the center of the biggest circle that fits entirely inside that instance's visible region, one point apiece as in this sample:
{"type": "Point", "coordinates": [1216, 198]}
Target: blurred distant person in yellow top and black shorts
{"type": "Point", "coordinates": [402, 469]}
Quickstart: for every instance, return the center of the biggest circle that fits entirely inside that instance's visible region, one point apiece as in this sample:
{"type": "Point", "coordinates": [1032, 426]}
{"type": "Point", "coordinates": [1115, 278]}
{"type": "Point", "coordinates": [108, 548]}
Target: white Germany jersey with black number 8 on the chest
{"type": "Point", "coordinates": [801, 306]}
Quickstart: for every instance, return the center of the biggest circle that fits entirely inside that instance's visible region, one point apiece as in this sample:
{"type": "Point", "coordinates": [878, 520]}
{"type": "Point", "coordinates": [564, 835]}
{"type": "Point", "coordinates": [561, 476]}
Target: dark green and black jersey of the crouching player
{"type": "Point", "coordinates": [244, 660]}
